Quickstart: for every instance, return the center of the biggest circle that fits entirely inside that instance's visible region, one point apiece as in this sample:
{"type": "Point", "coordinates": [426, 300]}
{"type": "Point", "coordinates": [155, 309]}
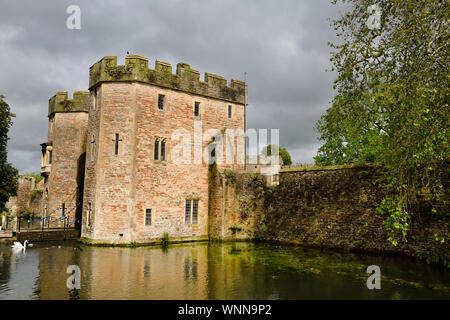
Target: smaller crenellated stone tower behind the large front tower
{"type": "Point", "coordinates": [63, 157]}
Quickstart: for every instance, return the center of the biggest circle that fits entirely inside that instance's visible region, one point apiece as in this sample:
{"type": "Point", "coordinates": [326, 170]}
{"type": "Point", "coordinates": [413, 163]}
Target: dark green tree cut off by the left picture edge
{"type": "Point", "coordinates": [8, 174]}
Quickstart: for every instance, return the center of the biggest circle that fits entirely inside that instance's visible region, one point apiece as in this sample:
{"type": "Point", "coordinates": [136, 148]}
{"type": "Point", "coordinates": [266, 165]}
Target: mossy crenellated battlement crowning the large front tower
{"type": "Point", "coordinates": [185, 79]}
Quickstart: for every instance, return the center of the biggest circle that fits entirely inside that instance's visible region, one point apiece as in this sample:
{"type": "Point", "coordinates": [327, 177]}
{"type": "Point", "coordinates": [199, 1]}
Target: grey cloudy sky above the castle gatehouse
{"type": "Point", "coordinates": [282, 45]}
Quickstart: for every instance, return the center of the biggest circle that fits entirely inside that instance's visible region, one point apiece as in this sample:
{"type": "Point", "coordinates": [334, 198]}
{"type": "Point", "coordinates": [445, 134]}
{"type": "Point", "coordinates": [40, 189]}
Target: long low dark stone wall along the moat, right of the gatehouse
{"type": "Point", "coordinates": [320, 208]}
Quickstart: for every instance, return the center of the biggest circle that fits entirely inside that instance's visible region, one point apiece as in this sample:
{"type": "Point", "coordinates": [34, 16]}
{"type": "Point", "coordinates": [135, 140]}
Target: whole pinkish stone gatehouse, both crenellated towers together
{"type": "Point", "coordinates": [135, 187]}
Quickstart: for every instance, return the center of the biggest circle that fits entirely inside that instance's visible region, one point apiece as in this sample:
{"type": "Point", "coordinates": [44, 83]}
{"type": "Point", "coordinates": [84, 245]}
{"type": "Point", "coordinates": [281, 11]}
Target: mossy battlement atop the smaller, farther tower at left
{"type": "Point", "coordinates": [60, 102]}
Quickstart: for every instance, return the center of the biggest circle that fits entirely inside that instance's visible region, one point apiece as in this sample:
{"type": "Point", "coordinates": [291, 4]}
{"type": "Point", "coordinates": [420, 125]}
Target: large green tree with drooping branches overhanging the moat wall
{"type": "Point", "coordinates": [391, 99]}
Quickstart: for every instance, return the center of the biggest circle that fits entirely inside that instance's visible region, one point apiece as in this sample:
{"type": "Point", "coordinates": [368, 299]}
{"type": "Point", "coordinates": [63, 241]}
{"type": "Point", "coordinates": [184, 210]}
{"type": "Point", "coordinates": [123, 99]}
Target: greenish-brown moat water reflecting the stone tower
{"type": "Point", "coordinates": [212, 271]}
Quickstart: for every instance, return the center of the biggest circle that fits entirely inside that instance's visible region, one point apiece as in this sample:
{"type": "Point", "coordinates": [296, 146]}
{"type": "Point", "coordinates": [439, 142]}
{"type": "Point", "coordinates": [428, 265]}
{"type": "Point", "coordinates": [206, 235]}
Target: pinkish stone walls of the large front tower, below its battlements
{"type": "Point", "coordinates": [120, 187]}
